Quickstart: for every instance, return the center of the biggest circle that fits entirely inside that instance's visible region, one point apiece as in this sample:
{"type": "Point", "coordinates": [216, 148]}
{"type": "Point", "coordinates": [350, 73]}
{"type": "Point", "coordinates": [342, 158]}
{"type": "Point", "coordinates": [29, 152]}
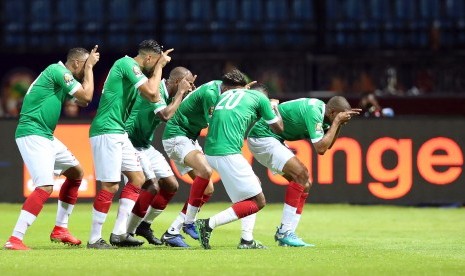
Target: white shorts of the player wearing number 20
{"type": "Point", "coordinates": [237, 176]}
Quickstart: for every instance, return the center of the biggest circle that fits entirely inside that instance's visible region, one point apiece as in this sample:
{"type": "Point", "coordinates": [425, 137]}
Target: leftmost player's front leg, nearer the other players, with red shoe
{"type": "Point", "coordinates": [66, 164]}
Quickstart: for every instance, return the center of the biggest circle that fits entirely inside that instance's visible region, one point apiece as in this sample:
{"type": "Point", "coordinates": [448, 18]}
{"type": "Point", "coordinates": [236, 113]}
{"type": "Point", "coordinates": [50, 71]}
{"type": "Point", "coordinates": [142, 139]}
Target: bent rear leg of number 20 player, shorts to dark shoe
{"type": "Point", "coordinates": [242, 186]}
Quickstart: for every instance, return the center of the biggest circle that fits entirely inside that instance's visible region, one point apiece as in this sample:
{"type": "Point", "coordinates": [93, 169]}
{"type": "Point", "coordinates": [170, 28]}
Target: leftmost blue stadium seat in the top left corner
{"type": "Point", "coordinates": [14, 24]}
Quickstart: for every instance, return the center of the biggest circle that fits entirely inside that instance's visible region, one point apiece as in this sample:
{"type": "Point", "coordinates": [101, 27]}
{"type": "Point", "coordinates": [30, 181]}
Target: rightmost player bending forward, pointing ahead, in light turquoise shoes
{"type": "Point", "coordinates": [304, 119]}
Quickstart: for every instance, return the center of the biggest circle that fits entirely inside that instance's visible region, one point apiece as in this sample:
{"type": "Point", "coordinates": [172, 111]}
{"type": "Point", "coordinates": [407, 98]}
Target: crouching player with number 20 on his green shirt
{"type": "Point", "coordinates": [235, 111]}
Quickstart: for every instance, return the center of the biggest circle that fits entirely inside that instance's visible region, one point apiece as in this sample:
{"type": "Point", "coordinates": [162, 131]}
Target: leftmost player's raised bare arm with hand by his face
{"type": "Point", "coordinates": [85, 93]}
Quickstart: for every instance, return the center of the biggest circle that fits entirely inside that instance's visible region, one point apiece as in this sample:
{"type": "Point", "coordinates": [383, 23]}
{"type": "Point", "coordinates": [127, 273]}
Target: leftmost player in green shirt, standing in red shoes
{"type": "Point", "coordinates": [43, 153]}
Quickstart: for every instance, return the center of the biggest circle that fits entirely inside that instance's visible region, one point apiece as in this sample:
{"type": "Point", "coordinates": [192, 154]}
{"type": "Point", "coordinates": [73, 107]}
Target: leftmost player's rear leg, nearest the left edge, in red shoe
{"type": "Point", "coordinates": [37, 153]}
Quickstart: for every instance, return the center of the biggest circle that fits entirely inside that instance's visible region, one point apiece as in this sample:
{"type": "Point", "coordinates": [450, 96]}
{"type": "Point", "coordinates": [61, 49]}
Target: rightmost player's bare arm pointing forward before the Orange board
{"type": "Point", "coordinates": [330, 137]}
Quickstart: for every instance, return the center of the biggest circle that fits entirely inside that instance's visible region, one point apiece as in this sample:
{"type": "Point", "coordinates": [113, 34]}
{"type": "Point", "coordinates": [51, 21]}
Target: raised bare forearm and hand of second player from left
{"type": "Point", "coordinates": [150, 89]}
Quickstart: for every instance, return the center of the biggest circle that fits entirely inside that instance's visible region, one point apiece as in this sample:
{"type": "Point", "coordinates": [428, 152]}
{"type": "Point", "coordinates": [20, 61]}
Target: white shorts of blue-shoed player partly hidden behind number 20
{"type": "Point", "coordinates": [177, 148]}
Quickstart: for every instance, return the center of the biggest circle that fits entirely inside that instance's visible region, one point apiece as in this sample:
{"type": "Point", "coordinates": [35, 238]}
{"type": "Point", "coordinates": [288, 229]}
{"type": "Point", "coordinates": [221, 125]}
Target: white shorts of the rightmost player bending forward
{"type": "Point", "coordinates": [270, 152]}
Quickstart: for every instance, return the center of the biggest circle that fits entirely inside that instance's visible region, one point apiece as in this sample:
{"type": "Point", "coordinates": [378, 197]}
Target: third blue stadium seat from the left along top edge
{"type": "Point", "coordinates": [67, 17]}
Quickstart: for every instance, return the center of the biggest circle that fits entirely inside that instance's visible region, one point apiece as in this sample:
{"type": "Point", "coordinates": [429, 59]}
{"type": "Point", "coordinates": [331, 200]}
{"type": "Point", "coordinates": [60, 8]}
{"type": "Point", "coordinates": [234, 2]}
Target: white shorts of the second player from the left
{"type": "Point", "coordinates": [113, 154]}
